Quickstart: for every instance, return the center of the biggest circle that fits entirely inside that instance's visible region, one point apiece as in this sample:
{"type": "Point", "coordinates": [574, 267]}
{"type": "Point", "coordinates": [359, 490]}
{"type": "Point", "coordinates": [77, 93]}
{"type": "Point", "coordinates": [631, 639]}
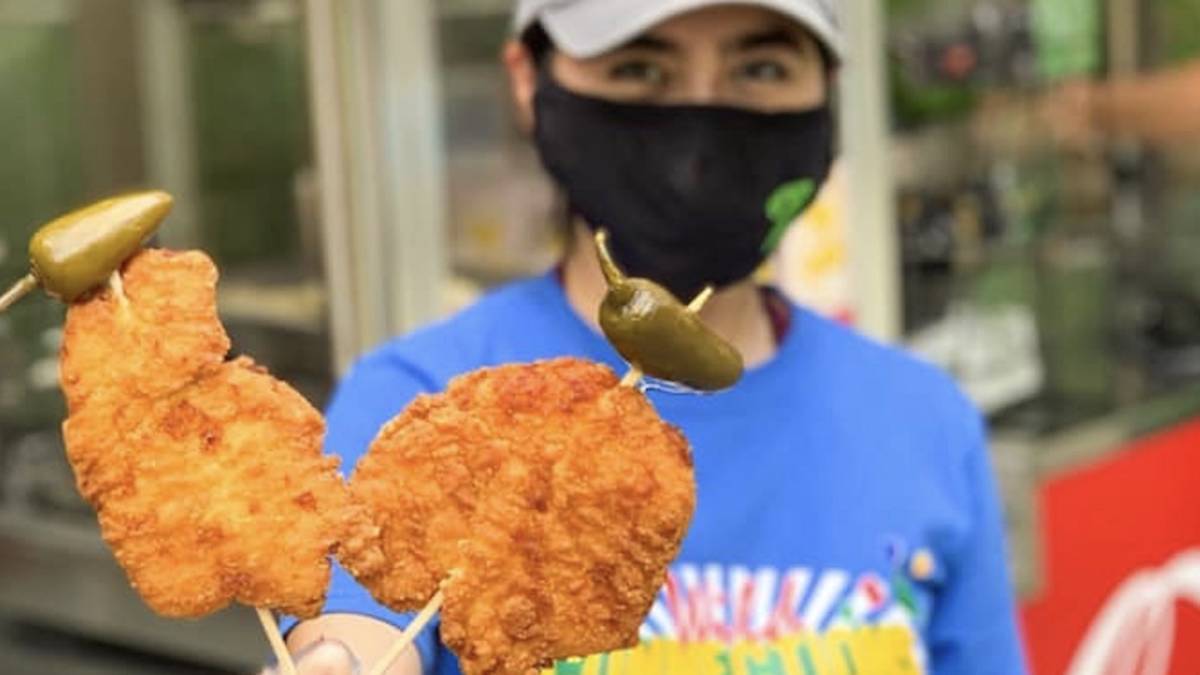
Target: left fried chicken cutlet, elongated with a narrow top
{"type": "Point", "coordinates": [207, 476]}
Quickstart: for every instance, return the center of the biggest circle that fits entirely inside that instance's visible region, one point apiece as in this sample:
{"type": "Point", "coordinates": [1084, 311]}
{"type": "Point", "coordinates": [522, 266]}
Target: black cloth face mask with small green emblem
{"type": "Point", "coordinates": [692, 195]}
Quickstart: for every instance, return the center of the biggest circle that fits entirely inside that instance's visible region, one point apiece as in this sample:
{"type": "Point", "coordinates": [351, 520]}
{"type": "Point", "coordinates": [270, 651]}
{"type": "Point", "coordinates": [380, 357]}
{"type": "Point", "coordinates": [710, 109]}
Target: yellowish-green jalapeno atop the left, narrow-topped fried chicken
{"type": "Point", "coordinates": [81, 250]}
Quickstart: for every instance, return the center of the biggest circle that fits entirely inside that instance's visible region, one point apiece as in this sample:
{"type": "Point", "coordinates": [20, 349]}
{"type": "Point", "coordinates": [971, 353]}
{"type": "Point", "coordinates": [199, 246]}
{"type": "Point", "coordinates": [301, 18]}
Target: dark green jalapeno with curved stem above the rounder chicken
{"type": "Point", "coordinates": [659, 336]}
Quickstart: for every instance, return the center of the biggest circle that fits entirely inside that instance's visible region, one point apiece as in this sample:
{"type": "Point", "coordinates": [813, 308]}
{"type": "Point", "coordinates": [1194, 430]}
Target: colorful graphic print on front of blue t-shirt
{"type": "Point", "coordinates": [712, 620]}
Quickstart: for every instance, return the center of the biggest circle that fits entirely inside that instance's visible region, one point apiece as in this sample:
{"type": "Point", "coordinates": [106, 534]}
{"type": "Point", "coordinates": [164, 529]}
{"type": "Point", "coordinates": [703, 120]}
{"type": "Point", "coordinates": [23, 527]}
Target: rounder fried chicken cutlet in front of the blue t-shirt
{"type": "Point", "coordinates": [548, 498]}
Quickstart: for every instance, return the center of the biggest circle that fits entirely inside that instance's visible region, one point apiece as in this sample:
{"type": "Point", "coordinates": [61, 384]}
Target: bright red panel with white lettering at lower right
{"type": "Point", "coordinates": [1135, 511]}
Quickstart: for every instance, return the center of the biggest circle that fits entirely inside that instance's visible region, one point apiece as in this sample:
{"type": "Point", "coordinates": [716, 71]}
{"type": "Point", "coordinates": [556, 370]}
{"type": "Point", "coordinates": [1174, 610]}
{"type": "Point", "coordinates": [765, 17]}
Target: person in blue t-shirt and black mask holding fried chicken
{"type": "Point", "coordinates": [848, 521]}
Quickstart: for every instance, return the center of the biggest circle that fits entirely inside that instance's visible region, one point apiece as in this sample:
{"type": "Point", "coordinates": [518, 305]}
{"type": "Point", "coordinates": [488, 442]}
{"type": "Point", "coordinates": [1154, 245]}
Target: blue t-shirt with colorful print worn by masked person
{"type": "Point", "coordinates": [847, 517]}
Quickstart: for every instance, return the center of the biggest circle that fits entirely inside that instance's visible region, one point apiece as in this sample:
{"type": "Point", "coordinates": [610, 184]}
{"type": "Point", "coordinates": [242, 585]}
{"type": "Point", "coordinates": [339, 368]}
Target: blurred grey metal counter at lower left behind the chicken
{"type": "Point", "coordinates": [64, 578]}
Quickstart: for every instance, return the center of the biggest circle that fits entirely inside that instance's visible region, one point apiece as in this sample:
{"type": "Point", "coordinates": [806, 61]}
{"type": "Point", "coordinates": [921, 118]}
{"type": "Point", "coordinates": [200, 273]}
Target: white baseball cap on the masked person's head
{"type": "Point", "coordinates": [589, 28]}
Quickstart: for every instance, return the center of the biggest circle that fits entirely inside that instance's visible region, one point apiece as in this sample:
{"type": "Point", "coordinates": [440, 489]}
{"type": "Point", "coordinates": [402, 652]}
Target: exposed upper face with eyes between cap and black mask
{"type": "Point", "coordinates": [728, 56]}
